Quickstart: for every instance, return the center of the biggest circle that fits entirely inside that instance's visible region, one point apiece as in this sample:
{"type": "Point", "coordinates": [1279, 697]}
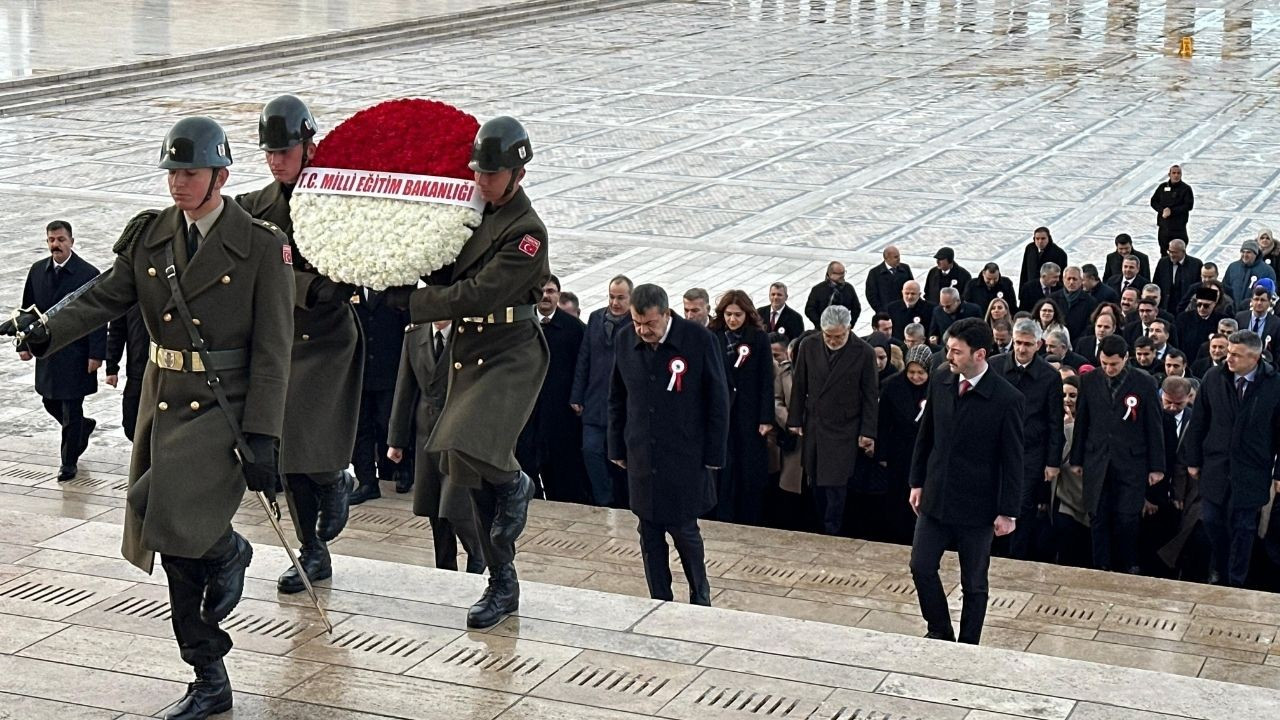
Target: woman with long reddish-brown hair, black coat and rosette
{"type": "Point", "coordinates": [749, 371]}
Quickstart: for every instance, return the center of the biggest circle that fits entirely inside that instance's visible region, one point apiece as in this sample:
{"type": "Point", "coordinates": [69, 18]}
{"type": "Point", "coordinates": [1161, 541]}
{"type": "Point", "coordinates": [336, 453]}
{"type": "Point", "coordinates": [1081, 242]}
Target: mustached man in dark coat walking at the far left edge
{"type": "Point", "coordinates": [65, 379]}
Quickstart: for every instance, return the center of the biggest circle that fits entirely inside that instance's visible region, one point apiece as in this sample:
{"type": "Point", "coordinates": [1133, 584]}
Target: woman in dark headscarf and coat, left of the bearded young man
{"type": "Point", "coordinates": [900, 412]}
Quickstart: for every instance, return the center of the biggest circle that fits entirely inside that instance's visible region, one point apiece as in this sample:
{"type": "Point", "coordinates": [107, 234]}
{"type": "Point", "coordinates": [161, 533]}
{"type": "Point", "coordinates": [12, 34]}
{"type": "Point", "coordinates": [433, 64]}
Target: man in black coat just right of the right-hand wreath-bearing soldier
{"type": "Point", "coordinates": [550, 449]}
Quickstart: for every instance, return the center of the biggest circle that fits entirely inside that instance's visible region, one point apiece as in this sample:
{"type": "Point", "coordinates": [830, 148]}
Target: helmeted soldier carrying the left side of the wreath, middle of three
{"type": "Point", "coordinates": [327, 363]}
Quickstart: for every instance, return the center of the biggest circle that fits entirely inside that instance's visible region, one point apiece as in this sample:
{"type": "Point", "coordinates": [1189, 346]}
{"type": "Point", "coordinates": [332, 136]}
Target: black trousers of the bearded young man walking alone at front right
{"type": "Point", "coordinates": [973, 545]}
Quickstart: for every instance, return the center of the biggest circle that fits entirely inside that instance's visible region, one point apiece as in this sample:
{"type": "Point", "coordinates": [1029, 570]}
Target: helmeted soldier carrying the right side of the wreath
{"type": "Point", "coordinates": [499, 356]}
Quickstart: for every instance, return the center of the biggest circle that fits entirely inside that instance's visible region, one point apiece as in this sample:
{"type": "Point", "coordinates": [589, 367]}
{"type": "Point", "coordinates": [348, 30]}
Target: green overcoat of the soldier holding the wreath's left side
{"type": "Point", "coordinates": [327, 364]}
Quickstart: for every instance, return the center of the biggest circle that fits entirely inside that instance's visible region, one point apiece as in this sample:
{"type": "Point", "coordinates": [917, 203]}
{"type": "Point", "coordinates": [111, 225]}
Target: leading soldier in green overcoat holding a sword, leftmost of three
{"type": "Point", "coordinates": [185, 480]}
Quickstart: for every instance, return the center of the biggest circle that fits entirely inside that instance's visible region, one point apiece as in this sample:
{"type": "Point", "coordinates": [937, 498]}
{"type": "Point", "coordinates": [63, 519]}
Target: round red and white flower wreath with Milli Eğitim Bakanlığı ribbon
{"type": "Point", "coordinates": [388, 197]}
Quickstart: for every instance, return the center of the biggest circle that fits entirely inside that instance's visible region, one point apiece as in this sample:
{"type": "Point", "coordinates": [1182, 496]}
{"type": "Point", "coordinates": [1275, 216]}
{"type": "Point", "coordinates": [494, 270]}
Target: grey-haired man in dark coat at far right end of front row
{"type": "Point", "coordinates": [1232, 448]}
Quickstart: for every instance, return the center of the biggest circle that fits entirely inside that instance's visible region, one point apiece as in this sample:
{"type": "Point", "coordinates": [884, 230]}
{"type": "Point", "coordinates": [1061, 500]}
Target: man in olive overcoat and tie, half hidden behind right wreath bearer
{"type": "Point", "coordinates": [422, 388]}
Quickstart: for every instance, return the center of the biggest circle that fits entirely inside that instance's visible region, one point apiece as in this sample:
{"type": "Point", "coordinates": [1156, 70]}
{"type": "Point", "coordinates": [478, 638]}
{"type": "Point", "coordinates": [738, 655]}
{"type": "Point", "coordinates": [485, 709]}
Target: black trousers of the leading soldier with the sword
{"type": "Point", "coordinates": [199, 642]}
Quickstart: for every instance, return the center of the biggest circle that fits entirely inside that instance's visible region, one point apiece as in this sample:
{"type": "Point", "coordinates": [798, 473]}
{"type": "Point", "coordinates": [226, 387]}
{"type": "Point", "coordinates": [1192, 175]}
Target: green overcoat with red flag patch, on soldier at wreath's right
{"type": "Point", "coordinates": [496, 370]}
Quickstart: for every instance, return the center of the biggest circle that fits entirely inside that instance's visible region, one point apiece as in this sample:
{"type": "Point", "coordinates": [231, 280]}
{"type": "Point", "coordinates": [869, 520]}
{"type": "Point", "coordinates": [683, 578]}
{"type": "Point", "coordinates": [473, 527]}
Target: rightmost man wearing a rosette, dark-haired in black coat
{"type": "Point", "coordinates": [1119, 446]}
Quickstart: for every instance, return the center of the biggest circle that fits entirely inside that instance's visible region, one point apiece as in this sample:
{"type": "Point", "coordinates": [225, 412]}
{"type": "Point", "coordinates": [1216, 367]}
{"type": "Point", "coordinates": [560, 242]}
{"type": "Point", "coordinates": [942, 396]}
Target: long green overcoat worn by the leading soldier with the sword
{"type": "Point", "coordinates": [185, 482]}
